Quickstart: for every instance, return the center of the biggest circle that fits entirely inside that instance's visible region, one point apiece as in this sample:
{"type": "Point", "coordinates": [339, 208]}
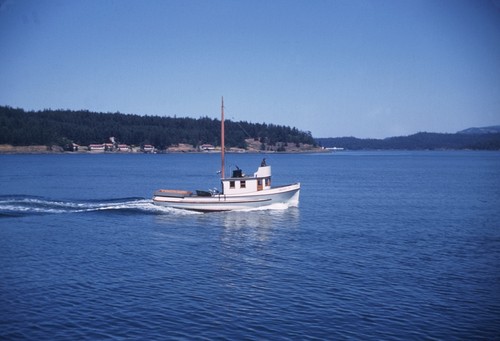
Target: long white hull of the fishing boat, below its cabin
{"type": "Point", "coordinates": [288, 195]}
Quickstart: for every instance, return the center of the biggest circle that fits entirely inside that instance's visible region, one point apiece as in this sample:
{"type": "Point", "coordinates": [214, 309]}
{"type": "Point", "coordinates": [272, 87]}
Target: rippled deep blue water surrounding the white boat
{"type": "Point", "coordinates": [384, 245]}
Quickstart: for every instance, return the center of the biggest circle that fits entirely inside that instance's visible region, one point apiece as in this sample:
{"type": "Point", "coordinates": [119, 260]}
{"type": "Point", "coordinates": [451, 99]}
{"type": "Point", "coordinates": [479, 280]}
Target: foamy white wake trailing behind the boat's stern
{"type": "Point", "coordinates": [22, 205]}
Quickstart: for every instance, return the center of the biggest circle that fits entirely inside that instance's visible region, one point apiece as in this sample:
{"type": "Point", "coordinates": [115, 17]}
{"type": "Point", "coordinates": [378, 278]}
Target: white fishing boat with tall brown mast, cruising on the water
{"type": "Point", "coordinates": [238, 192]}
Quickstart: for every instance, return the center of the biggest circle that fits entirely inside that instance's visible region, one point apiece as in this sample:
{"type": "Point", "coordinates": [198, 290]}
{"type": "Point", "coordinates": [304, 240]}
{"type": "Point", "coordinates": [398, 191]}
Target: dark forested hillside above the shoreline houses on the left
{"type": "Point", "coordinates": [63, 127]}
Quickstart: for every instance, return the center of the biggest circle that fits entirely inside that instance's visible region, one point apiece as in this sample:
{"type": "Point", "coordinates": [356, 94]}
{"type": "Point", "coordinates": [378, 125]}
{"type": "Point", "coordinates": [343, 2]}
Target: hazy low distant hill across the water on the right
{"type": "Point", "coordinates": [419, 141]}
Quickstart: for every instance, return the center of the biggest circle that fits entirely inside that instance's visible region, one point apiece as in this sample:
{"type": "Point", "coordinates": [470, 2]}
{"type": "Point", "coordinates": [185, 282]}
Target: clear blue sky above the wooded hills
{"type": "Point", "coordinates": [363, 68]}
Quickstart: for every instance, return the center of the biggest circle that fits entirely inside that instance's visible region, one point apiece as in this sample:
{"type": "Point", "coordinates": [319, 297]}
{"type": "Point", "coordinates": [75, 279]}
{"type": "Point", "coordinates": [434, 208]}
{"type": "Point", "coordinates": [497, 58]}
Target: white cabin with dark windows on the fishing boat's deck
{"type": "Point", "coordinates": [239, 183]}
